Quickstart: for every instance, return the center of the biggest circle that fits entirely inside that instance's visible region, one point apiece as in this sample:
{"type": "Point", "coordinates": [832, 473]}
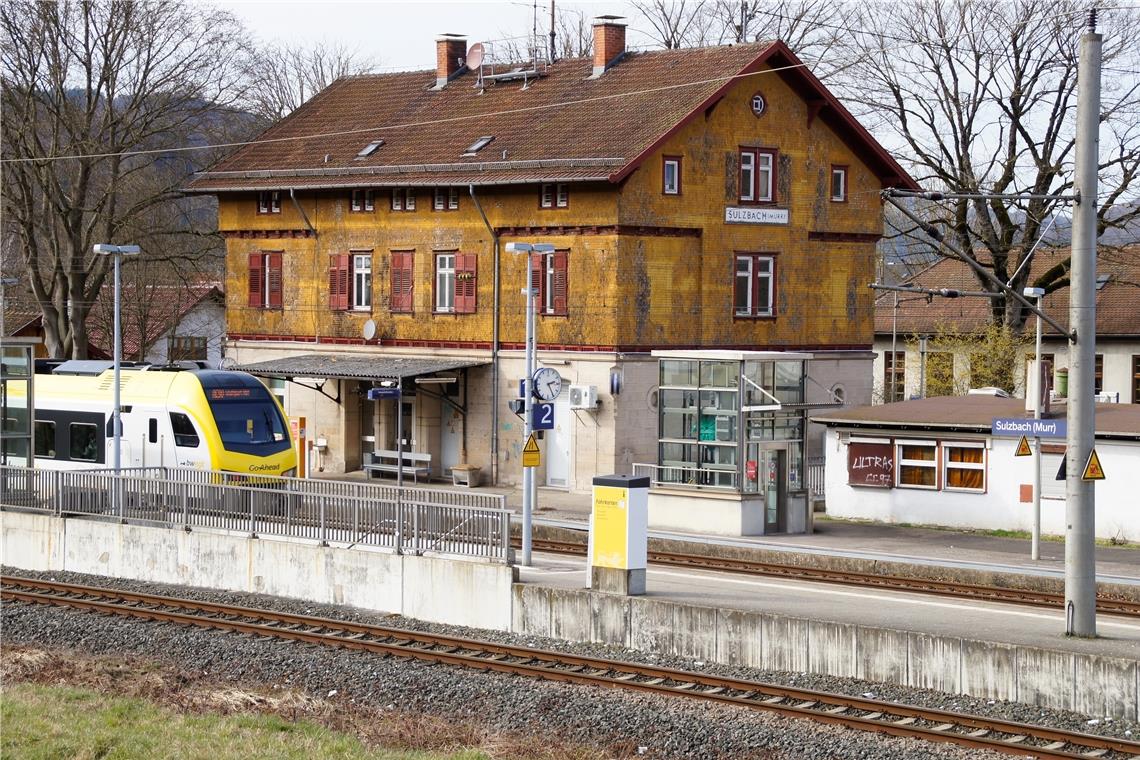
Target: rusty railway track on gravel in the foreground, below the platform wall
{"type": "Point", "coordinates": [853, 713]}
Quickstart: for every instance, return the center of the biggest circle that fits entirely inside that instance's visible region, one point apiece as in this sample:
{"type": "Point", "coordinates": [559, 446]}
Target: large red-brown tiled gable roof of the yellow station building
{"type": "Point", "coordinates": [580, 128]}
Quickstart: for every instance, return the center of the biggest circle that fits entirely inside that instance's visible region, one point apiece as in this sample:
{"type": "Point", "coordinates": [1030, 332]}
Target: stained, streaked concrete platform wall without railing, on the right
{"type": "Point", "coordinates": [1089, 684]}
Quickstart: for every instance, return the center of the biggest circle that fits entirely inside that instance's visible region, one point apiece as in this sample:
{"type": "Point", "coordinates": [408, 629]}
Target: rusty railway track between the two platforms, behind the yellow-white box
{"type": "Point", "coordinates": [1106, 606]}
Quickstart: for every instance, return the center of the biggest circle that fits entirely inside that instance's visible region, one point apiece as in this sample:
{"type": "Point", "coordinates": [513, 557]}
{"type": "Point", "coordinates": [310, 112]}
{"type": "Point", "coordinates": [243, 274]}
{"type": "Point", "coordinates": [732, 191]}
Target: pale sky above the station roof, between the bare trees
{"type": "Point", "coordinates": [401, 36]}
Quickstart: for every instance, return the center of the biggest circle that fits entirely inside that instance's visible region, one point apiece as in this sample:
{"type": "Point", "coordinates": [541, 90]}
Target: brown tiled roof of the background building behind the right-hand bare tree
{"type": "Point", "coordinates": [1118, 301]}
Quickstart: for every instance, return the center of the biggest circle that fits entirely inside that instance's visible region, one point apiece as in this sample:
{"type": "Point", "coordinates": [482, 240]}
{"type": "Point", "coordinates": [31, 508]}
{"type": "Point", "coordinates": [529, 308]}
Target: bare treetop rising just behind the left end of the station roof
{"type": "Point", "coordinates": [287, 76]}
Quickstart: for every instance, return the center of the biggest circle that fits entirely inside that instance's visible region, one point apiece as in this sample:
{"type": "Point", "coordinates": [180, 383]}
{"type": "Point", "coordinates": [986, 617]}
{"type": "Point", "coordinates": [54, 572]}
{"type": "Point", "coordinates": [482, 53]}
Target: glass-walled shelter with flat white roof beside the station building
{"type": "Point", "coordinates": [734, 423]}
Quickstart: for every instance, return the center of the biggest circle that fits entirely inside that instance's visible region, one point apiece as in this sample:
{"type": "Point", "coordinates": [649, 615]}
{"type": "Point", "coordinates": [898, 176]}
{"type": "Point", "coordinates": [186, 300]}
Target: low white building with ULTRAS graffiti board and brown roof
{"type": "Point", "coordinates": [947, 462]}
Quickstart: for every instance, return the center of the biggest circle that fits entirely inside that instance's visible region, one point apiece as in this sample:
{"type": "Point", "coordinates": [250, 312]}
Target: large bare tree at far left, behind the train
{"type": "Point", "coordinates": [97, 96]}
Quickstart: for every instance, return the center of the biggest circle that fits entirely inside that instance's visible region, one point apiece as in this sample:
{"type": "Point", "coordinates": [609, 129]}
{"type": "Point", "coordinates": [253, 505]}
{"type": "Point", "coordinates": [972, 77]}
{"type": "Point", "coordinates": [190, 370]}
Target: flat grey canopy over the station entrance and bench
{"type": "Point", "coordinates": [337, 366]}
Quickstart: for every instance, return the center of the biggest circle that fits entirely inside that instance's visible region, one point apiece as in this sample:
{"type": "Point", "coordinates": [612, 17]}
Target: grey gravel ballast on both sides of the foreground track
{"type": "Point", "coordinates": [652, 725]}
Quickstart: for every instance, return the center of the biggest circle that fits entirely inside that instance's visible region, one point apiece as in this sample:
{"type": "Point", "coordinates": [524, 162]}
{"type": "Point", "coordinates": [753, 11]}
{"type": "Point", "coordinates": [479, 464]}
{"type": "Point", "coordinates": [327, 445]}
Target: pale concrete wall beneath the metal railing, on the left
{"type": "Point", "coordinates": [442, 591]}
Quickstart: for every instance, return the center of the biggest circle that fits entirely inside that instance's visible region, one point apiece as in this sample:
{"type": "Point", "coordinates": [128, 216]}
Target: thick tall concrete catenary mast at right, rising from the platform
{"type": "Point", "coordinates": [1080, 536]}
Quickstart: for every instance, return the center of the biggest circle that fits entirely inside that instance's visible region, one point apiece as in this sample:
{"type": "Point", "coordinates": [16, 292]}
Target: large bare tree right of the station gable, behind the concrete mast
{"type": "Point", "coordinates": [983, 97]}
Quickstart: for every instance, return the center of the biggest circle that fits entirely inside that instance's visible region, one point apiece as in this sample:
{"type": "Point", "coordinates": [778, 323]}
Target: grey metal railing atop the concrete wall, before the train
{"type": "Point", "coordinates": [411, 520]}
